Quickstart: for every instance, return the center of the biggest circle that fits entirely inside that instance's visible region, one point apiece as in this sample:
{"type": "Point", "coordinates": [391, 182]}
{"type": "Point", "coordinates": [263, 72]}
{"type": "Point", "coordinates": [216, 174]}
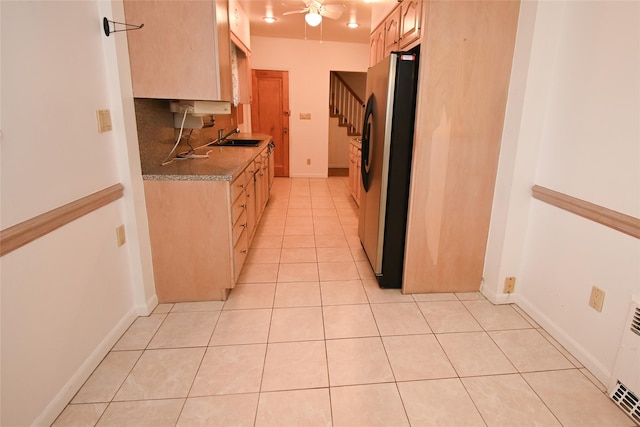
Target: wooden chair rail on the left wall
{"type": "Point", "coordinates": [27, 231]}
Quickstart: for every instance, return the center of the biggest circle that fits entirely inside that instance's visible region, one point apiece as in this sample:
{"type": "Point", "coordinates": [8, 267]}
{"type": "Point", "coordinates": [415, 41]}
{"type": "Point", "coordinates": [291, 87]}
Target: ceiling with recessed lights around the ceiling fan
{"type": "Point", "coordinates": [293, 26]}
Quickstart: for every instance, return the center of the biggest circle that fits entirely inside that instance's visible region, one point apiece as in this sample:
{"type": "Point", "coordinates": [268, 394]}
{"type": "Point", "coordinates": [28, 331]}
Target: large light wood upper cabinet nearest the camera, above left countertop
{"type": "Point", "coordinates": [182, 52]}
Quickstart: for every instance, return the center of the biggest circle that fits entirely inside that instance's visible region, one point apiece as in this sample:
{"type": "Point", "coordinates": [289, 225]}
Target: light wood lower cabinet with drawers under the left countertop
{"type": "Point", "coordinates": [200, 234]}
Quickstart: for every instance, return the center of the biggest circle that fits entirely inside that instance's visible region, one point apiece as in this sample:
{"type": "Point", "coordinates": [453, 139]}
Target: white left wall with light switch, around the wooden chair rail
{"type": "Point", "coordinates": [68, 296]}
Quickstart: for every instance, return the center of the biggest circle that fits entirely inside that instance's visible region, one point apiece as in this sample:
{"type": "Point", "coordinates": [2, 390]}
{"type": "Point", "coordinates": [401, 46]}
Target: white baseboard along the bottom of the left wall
{"type": "Point", "coordinates": [59, 402]}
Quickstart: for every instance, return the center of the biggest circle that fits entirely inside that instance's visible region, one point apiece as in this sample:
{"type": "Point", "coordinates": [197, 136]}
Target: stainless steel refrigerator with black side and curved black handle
{"type": "Point", "coordinates": [387, 145]}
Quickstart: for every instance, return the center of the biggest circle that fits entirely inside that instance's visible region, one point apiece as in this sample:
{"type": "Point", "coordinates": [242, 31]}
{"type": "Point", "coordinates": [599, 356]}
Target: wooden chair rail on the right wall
{"type": "Point", "coordinates": [618, 221]}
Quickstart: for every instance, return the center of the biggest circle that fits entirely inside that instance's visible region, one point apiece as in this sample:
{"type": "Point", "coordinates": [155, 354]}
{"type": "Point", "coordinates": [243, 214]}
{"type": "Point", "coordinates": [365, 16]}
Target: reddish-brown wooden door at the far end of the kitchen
{"type": "Point", "coordinates": [270, 113]}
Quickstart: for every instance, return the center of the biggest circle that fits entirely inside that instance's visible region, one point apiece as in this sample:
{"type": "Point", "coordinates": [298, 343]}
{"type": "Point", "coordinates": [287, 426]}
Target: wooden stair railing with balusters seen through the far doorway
{"type": "Point", "coordinates": [345, 105]}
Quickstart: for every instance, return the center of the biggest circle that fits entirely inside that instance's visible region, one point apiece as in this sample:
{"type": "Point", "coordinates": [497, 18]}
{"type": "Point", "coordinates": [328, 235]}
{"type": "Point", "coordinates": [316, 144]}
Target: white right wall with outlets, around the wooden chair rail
{"type": "Point", "coordinates": [572, 126]}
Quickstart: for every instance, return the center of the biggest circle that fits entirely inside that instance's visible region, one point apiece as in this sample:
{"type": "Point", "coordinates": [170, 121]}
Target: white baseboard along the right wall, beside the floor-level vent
{"type": "Point", "coordinates": [587, 359]}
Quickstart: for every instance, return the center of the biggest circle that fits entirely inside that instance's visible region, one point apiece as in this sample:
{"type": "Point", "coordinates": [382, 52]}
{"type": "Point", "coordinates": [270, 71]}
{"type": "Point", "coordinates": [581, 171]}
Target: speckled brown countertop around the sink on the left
{"type": "Point", "coordinates": [223, 163]}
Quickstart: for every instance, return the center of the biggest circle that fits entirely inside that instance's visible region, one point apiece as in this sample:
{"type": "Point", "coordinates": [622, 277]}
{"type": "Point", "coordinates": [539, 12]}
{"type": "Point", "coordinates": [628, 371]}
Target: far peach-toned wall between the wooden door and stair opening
{"type": "Point", "coordinates": [308, 63]}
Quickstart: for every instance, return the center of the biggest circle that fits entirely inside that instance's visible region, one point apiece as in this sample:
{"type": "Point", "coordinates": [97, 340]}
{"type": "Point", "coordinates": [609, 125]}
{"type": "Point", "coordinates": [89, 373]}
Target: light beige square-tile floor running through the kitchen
{"type": "Point", "coordinates": [307, 338]}
